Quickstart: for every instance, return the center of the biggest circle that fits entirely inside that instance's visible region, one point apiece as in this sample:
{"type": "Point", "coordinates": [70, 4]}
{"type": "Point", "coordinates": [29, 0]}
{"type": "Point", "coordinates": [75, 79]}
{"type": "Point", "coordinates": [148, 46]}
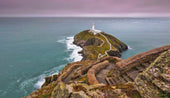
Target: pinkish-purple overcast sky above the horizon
{"type": "Point", "coordinates": [94, 8]}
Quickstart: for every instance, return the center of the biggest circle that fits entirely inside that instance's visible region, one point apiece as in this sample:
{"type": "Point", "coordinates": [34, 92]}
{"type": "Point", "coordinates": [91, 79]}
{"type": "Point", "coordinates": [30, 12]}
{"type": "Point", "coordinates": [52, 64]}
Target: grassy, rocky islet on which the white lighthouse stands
{"type": "Point", "coordinates": [93, 45]}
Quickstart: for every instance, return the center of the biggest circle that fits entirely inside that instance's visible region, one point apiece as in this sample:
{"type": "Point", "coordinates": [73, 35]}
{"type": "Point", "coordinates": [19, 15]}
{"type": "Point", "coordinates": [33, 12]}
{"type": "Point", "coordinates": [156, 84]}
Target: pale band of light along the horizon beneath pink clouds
{"type": "Point", "coordinates": [91, 15]}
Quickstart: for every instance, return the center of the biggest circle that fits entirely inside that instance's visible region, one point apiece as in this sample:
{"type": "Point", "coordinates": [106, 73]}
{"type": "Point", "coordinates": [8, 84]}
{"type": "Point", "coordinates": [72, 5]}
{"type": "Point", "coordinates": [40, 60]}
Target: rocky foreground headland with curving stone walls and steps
{"type": "Point", "coordinates": [145, 79]}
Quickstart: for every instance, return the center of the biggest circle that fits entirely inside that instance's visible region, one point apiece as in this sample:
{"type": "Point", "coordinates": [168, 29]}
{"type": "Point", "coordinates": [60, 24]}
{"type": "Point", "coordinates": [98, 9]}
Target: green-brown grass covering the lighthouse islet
{"type": "Point", "coordinates": [92, 51]}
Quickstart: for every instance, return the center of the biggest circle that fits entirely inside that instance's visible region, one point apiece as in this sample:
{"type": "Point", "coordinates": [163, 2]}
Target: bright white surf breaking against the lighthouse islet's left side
{"type": "Point", "coordinates": [74, 56]}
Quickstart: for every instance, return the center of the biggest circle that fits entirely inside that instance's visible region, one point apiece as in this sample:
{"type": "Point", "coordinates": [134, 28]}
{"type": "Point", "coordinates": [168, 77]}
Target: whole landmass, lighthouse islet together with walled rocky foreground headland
{"type": "Point", "coordinates": [103, 74]}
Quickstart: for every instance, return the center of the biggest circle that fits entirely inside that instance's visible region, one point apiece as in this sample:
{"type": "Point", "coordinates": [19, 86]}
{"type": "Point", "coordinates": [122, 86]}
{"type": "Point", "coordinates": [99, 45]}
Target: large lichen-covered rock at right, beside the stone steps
{"type": "Point", "coordinates": [154, 82]}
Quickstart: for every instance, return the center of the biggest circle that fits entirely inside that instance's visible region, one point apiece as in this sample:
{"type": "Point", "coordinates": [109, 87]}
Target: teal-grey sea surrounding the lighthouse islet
{"type": "Point", "coordinates": [36, 47]}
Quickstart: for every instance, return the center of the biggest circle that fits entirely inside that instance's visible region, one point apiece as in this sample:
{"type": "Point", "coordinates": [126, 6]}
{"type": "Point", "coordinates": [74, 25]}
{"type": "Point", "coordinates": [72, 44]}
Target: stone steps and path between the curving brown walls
{"type": "Point", "coordinates": [128, 76]}
